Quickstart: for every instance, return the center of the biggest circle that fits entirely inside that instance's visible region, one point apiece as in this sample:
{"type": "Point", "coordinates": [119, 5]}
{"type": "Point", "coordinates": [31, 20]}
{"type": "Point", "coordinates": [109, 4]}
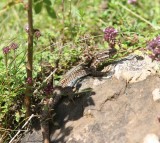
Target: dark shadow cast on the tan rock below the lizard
{"type": "Point", "coordinates": [67, 112]}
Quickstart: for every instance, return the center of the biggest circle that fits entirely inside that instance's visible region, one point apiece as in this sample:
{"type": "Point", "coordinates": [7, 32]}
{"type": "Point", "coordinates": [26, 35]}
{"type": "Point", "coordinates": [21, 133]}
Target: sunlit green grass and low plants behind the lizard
{"type": "Point", "coordinates": [136, 25]}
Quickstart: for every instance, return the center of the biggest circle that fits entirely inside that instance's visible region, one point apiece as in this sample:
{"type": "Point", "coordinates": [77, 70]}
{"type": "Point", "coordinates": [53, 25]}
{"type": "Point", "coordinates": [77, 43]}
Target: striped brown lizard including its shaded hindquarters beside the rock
{"type": "Point", "coordinates": [86, 68]}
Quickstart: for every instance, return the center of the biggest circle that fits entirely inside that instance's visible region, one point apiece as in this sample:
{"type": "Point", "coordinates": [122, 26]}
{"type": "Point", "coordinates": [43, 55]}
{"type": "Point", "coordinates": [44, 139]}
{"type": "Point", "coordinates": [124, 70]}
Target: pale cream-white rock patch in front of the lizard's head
{"type": "Point", "coordinates": [136, 69]}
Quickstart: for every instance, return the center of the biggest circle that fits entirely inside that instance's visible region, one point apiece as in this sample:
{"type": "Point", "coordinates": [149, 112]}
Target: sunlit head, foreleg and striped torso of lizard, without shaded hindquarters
{"type": "Point", "coordinates": [87, 68]}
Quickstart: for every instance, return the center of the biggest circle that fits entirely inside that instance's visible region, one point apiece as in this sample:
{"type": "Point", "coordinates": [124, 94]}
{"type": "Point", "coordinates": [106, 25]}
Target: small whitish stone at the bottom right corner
{"type": "Point", "coordinates": [151, 138]}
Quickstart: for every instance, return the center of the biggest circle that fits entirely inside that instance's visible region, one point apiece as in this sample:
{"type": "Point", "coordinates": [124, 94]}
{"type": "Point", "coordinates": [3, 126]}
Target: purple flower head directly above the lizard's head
{"type": "Point", "coordinates": [110, 35]}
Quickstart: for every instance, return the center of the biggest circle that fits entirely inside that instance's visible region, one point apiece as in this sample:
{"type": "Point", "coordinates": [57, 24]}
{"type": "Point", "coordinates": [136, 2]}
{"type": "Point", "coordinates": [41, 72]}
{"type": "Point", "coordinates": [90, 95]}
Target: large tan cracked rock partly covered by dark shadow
{"type": "Point", "coordinates": [116, 111]}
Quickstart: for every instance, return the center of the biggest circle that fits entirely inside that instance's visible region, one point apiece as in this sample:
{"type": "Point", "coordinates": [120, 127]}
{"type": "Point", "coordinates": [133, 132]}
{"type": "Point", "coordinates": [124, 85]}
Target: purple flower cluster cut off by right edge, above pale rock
{"type": "Point", "coordinates": [154, 47]}
